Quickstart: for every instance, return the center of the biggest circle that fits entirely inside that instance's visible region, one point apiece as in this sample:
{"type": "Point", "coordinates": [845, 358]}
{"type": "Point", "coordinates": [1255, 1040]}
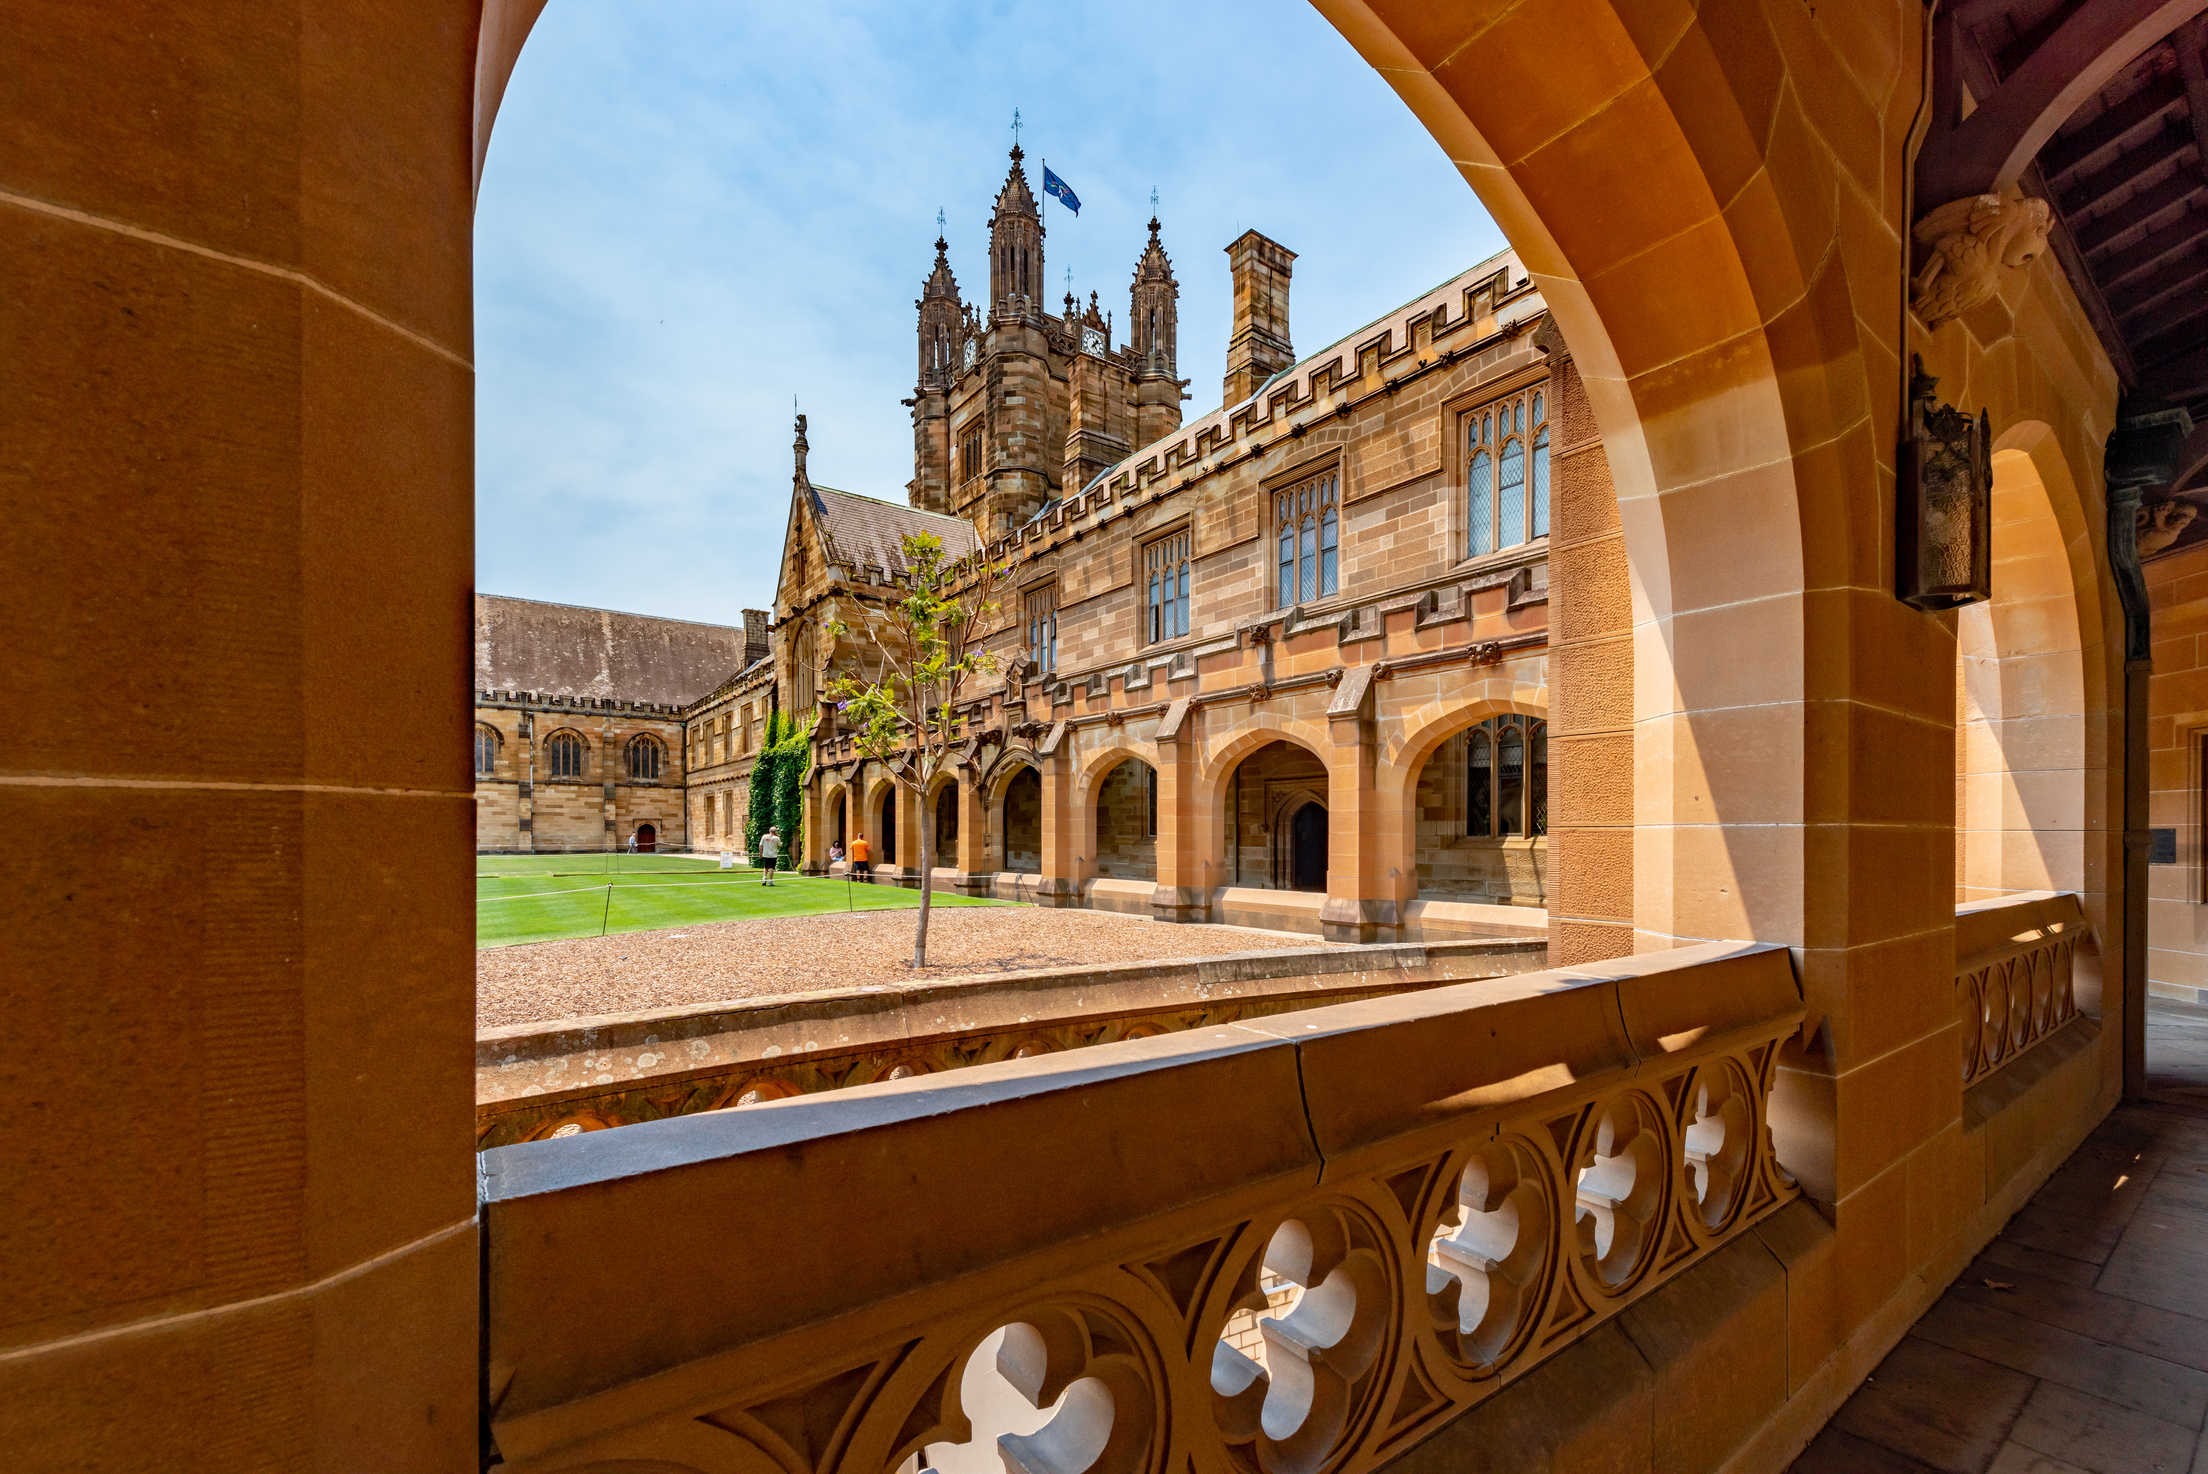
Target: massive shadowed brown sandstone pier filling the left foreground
{"type": "Point", "coordinates": [242, 1230]}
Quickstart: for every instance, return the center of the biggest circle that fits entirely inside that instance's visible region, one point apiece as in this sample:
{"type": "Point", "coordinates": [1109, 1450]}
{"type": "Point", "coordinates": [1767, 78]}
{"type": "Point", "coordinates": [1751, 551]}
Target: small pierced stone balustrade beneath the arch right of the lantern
{"type": "Point", "coordinates": [2013, 974]}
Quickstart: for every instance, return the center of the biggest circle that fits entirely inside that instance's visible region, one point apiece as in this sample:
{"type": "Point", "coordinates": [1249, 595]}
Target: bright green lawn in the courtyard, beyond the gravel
{"type": "Point", "coordinates": [549, 897]}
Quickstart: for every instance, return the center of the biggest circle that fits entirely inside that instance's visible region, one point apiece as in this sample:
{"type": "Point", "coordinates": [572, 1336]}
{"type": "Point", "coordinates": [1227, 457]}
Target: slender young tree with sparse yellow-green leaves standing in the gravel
{"type": "Point", "coordinates": [931, 652]}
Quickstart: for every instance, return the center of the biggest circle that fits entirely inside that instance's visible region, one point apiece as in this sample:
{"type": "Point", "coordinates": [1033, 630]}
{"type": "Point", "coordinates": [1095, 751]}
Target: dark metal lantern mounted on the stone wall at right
{"type": "Point", "coordinates": [1944, 504]}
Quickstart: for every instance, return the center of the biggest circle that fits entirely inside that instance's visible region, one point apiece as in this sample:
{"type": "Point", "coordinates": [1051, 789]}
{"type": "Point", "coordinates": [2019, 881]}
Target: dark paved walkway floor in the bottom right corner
{"type": "Point", "coordinates": [2079, 1341]}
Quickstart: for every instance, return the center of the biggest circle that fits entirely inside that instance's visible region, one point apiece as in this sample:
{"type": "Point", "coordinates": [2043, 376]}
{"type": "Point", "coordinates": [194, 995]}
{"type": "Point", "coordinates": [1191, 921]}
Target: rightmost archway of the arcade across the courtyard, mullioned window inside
{"type": "Point", "coordinates": [1480, 815]}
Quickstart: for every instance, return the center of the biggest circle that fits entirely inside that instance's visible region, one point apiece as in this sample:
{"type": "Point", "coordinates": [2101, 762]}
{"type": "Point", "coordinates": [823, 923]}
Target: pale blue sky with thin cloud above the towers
{"type": "Point", "coordinates": [692, 213]}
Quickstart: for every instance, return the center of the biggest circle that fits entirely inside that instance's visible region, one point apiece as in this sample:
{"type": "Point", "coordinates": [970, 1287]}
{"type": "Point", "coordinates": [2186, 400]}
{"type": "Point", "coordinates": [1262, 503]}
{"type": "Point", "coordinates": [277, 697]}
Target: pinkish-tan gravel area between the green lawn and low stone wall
{"type": "Point", "coordinates": [800, 954]}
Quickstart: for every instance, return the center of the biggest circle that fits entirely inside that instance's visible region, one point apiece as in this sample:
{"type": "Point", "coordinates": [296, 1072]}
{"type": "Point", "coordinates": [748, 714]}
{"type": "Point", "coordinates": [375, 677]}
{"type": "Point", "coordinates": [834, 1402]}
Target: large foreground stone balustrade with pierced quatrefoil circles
{"type": "Point", "coordinates": [1293, 1243]}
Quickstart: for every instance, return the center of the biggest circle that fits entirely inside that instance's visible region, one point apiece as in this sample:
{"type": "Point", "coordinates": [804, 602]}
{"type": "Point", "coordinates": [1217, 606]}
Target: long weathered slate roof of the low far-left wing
{"type": "Point", "coordinates": [564, 650]}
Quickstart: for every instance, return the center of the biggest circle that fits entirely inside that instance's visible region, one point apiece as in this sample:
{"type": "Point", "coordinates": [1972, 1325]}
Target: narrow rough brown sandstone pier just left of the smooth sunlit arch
{"type": "Point", "coordinates": [1591, 718]}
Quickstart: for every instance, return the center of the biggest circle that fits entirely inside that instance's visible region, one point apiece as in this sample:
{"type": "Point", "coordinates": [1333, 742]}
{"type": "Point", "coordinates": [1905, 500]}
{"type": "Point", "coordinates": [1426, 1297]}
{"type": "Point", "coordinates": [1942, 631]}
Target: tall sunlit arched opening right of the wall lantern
{"type": "Point", "coordinates": [2021, 707]}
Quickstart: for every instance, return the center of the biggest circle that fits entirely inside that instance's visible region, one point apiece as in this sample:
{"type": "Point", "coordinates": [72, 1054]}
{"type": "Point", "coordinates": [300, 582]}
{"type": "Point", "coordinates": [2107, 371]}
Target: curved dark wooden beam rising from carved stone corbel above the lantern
{"type": "Point", "coordinates": [1997, 142]}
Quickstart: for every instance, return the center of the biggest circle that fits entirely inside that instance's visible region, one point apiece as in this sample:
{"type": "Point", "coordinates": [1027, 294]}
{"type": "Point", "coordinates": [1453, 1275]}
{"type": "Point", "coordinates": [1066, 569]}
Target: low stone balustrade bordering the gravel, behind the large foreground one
{"type": "Point", "coordinates": [582, 1076]}
